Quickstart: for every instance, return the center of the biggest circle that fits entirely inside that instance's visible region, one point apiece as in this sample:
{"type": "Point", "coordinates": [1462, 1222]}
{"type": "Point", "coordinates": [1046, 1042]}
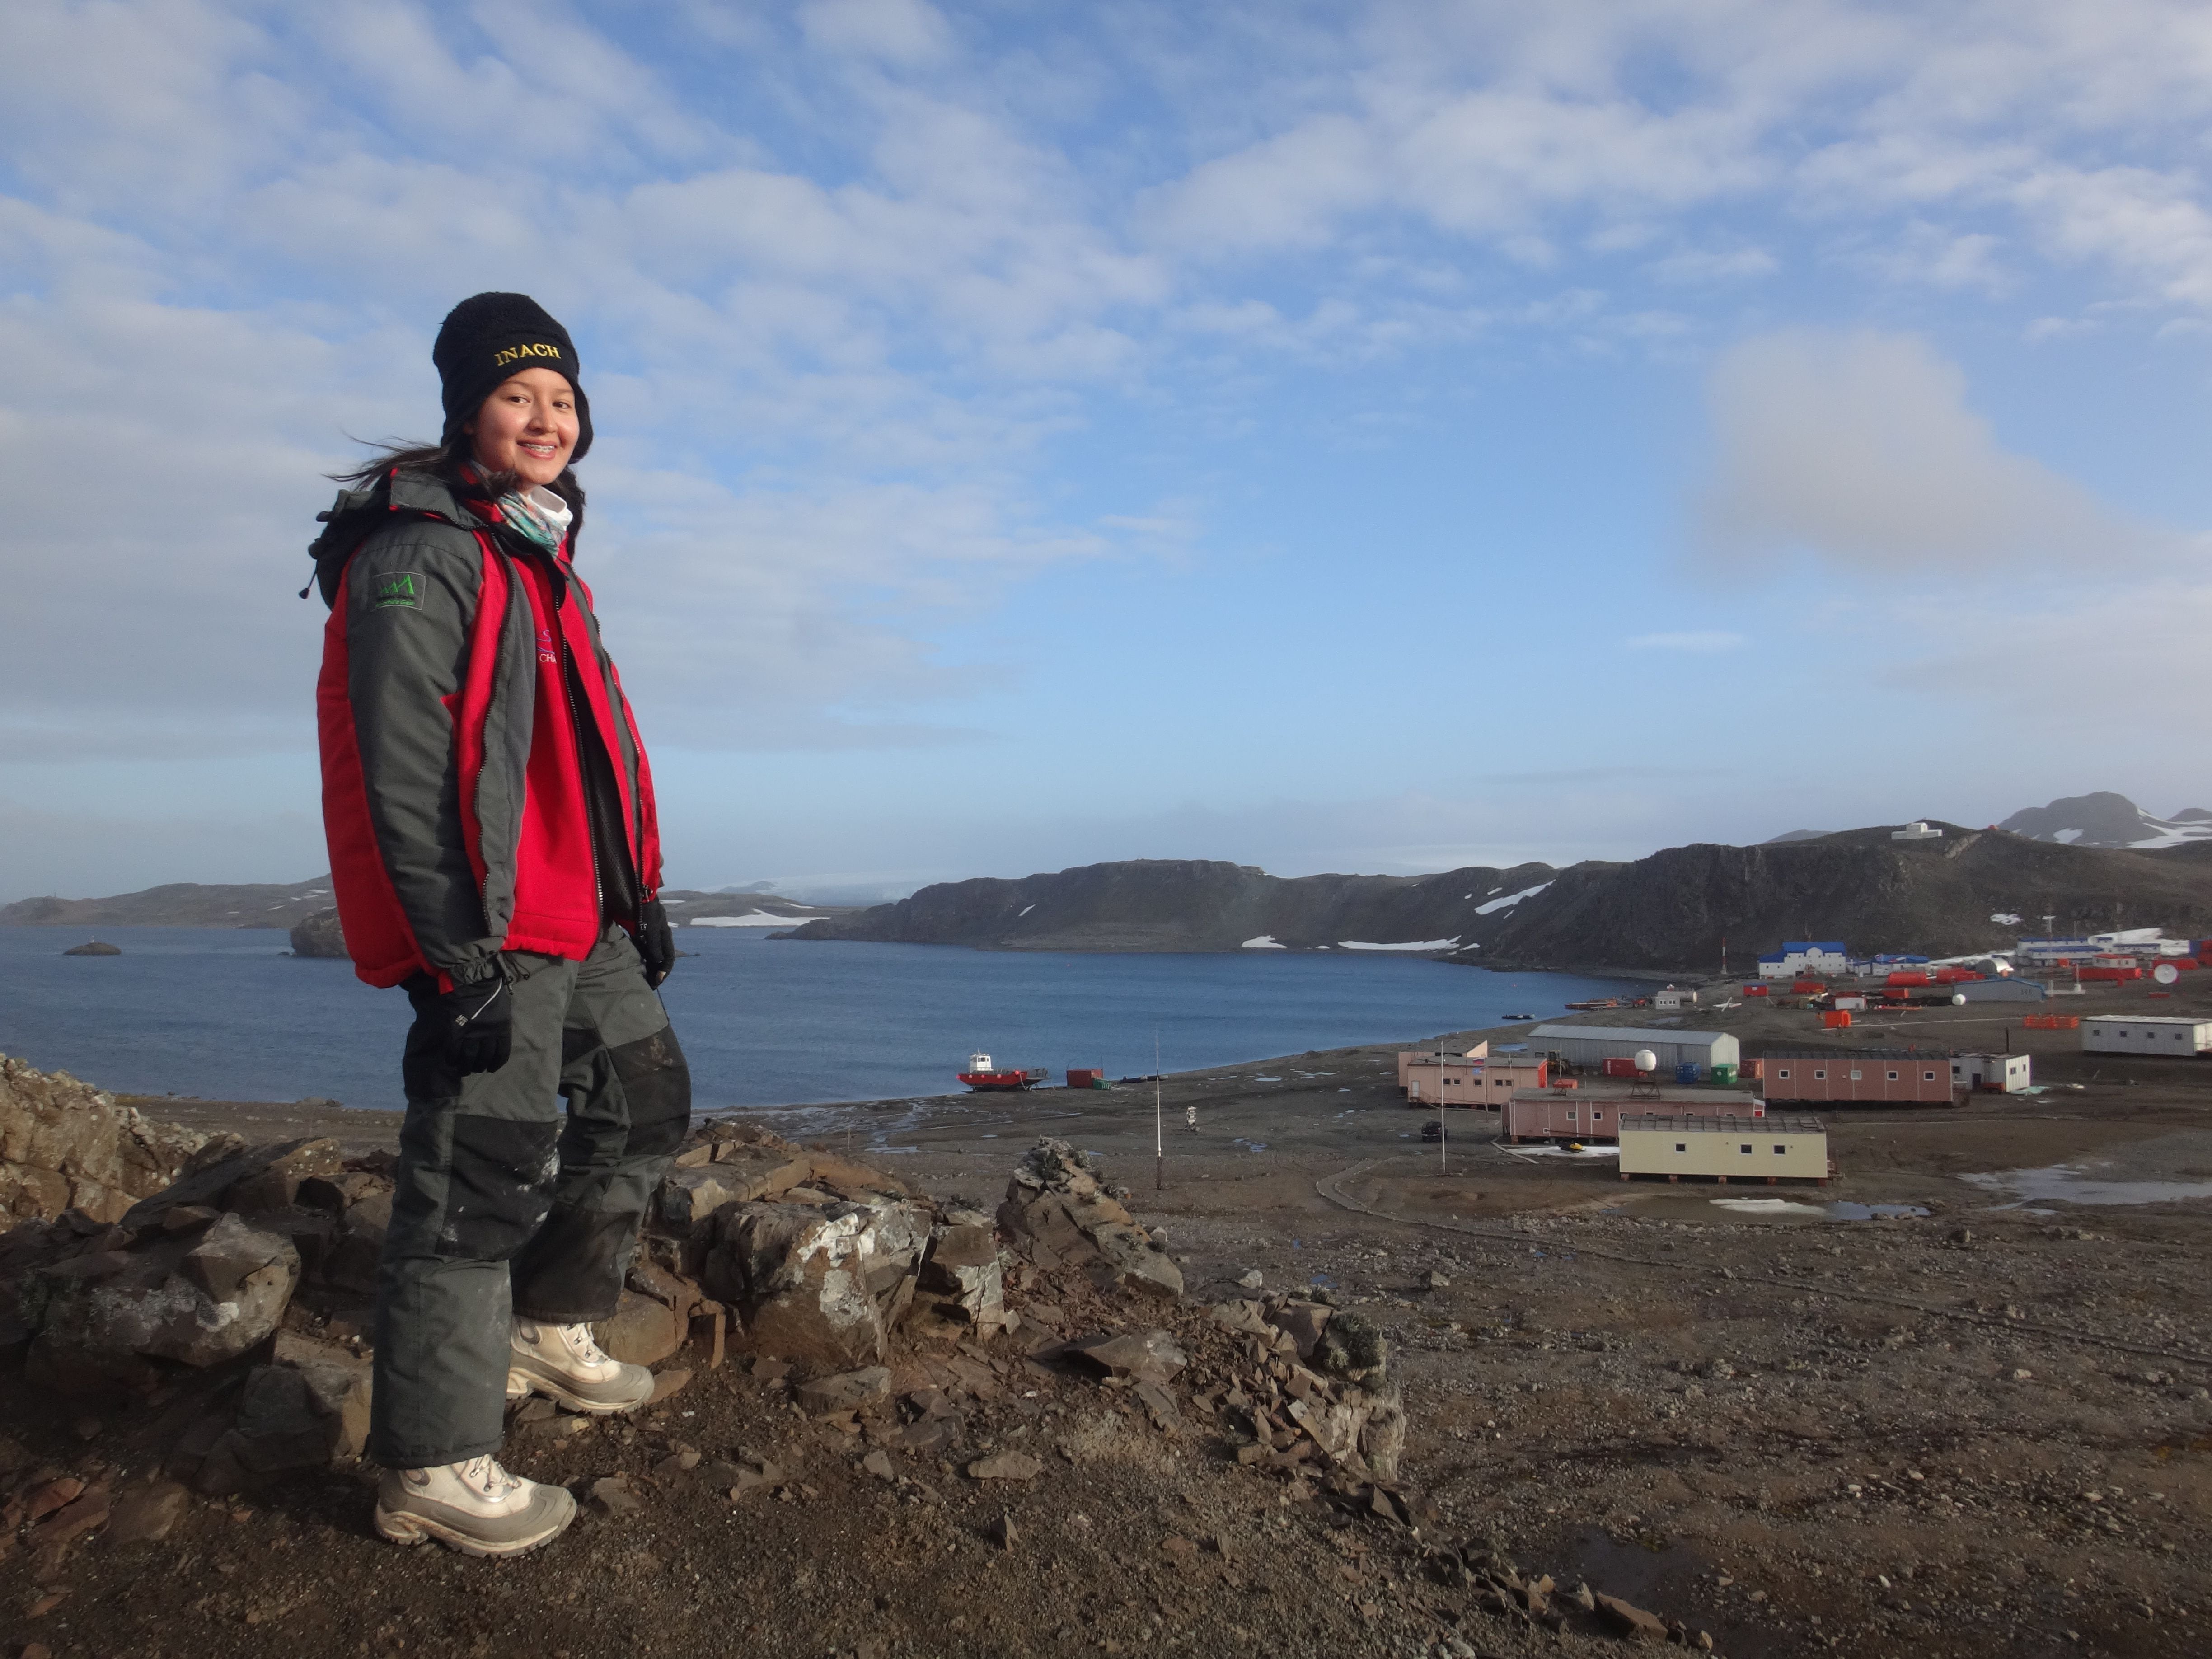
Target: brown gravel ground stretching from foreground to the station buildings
{"type": "Point", "coordinates": [1968, 1432]}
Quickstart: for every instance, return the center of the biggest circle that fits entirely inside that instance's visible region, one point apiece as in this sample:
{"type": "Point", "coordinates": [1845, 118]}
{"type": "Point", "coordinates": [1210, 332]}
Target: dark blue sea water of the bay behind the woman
{"type": "Point", "coordinates": [229, 1014]}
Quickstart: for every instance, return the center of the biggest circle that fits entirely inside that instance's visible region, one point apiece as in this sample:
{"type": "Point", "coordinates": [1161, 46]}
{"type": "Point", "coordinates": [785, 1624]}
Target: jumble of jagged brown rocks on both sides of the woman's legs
{"type": "Point", "coordinates": [233, 1311]}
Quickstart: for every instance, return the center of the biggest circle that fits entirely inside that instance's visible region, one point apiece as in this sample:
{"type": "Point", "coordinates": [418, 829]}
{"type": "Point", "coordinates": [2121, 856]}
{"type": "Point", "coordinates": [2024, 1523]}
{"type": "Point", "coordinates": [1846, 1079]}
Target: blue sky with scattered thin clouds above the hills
{"type": "Point", "coordinates": [1322, 437]}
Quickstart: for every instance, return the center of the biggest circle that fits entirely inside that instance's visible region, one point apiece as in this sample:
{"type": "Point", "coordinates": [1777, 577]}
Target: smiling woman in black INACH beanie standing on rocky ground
{"type": "Point", "coordinates": [494, 853]}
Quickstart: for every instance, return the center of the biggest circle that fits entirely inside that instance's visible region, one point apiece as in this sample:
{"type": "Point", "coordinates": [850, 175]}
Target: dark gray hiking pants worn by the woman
{"type": "Point", "coordinates": [503, 1207]}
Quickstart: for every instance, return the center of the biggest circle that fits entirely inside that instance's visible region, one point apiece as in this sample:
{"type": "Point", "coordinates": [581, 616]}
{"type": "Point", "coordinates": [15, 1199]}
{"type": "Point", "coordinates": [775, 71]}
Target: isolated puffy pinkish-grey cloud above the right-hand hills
{"type": "Point", "coordinates": [1861, 448]}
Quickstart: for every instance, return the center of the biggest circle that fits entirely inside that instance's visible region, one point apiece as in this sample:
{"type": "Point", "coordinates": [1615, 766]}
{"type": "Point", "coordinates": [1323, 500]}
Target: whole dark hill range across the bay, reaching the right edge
{"type": "Point", "coordinates": [1669, 912]}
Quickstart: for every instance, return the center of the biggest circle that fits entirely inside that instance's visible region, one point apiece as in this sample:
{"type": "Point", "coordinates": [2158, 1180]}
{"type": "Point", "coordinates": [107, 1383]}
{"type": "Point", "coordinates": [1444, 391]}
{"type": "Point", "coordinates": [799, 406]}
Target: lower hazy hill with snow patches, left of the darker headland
{"type": "Point", "coordinates": [1191, 906]}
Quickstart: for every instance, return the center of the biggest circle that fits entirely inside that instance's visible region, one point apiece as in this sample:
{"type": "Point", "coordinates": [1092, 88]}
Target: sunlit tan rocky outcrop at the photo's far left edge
{"type": "Point", "coordinates": [70, 1147]}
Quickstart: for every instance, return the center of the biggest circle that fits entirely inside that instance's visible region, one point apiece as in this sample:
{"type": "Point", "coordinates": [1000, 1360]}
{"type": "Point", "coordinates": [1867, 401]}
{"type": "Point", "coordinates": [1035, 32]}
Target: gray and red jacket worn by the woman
{"type": "Point", "coordinates": [483, 782]}
